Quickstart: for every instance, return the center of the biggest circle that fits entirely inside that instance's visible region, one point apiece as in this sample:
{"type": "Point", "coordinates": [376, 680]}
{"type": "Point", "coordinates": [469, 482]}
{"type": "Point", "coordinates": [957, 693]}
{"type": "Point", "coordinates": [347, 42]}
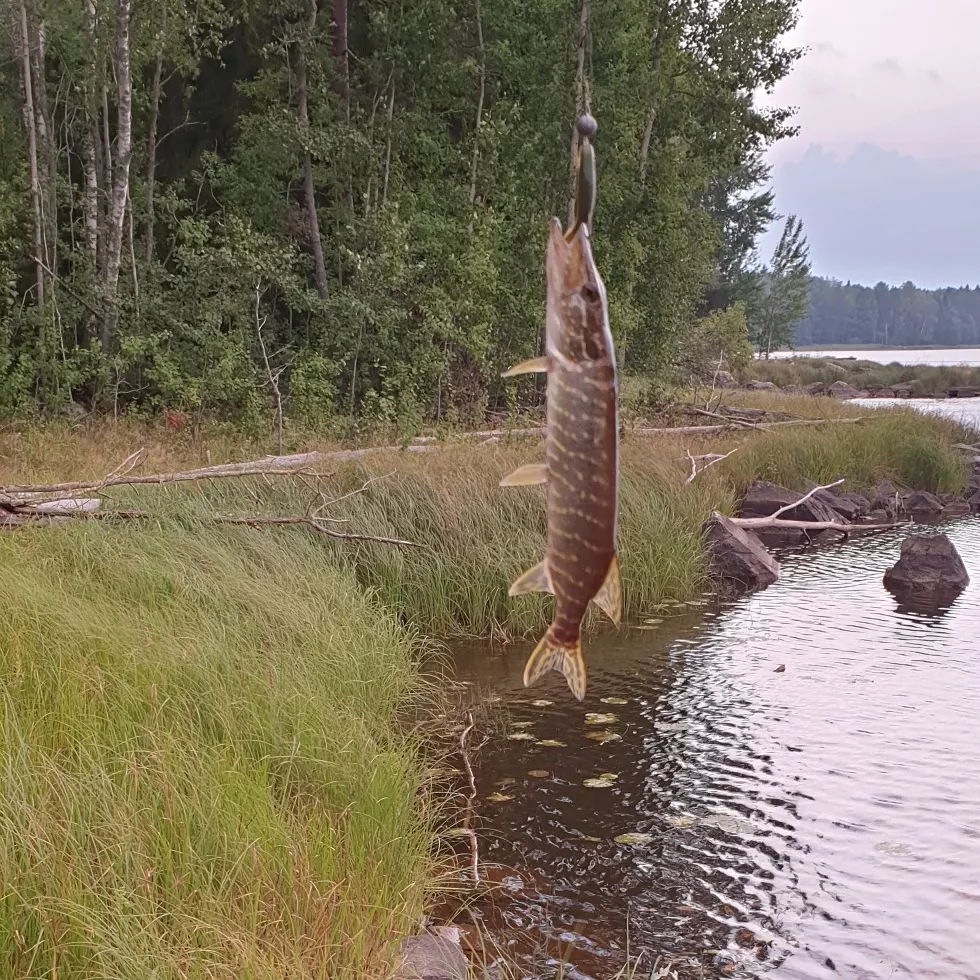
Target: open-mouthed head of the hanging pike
{"type": "Point", "coordinates": [577, 314]}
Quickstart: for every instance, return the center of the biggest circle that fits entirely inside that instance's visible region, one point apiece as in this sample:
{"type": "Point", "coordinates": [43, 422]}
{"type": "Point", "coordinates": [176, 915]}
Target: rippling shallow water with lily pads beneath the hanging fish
{"type": "Point", "coordinates": [819, 821]}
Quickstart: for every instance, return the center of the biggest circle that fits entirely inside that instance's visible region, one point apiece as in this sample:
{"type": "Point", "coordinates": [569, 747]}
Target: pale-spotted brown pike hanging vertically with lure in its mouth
{"type": "Point", "coordinates": [581, 467]}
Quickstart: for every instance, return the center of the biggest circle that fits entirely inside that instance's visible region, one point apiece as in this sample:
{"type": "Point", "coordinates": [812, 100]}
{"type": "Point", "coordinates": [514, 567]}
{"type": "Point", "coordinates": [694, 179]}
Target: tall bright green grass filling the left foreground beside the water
{"type": "Point", "coordinates": [203, 773]}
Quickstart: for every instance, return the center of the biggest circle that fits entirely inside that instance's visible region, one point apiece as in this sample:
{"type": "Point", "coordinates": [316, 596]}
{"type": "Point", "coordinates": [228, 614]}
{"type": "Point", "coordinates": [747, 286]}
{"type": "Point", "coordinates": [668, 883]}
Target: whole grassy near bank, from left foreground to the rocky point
{"type": "Point", "coordinates": [205, 769]}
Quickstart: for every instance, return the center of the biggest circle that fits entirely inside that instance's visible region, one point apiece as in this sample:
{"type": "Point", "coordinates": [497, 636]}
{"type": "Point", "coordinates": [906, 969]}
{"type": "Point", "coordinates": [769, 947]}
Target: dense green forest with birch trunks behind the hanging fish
{"type": "Point", "coordinates": [234, 210]}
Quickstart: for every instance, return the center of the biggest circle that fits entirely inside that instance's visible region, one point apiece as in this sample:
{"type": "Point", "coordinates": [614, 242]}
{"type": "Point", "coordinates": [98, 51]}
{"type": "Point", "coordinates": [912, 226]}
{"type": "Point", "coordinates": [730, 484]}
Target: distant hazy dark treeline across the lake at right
{"type": "Point", "coordinates": [843, 313]}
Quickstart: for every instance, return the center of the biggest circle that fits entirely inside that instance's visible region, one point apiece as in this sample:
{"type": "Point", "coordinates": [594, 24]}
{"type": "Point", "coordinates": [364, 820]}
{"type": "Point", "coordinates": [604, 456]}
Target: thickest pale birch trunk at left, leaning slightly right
{"type": "Point", "coordinates": [120, 177]}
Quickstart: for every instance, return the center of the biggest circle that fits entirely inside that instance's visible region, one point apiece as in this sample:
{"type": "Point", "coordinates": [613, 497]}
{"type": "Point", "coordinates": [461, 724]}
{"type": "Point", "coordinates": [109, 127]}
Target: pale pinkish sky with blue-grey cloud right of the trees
{"type": "Point", "coordinates": [885, 172]}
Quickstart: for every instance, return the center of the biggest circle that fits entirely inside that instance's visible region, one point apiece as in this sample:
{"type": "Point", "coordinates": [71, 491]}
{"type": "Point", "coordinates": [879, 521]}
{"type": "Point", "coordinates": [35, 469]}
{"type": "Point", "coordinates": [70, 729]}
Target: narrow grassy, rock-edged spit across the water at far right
{"type": "Point", "coordinates": [926, 380]}
